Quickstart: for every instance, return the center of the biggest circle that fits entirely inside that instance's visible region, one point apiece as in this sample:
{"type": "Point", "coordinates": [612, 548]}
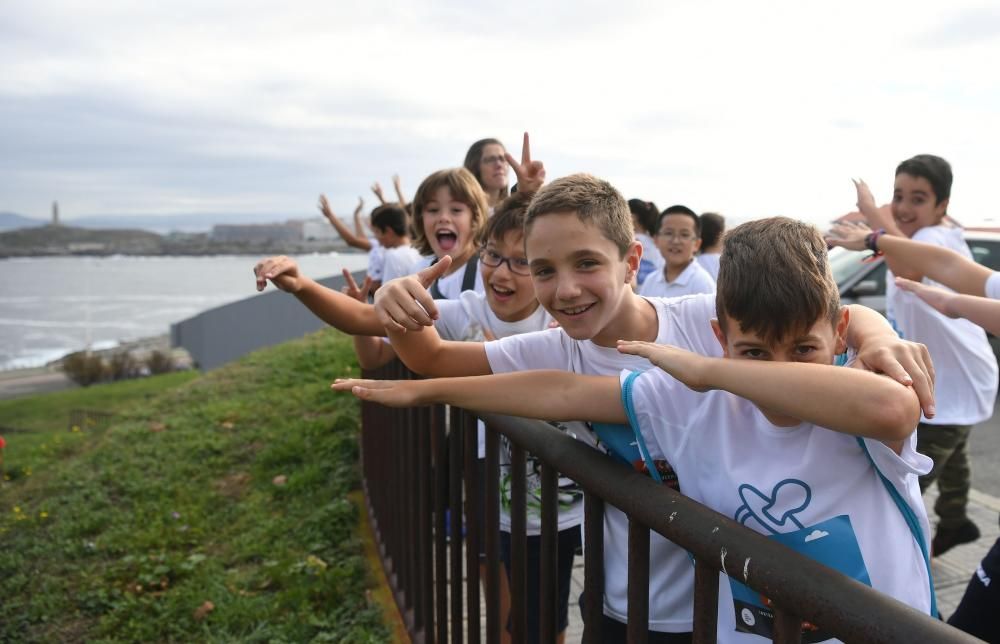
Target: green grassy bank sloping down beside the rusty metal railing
{"type": "Point", "coordinates": [210, 508]}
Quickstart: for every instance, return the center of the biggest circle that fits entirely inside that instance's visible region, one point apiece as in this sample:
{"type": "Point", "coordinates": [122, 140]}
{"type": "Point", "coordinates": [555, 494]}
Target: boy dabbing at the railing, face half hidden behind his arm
{"type": "Point", "coordinates": [809, 453]}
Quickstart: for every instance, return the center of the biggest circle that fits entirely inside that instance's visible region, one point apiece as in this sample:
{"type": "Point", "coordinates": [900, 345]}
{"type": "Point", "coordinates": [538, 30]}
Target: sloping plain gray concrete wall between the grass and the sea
{"type": "Point", "coordinates": [223, 334]}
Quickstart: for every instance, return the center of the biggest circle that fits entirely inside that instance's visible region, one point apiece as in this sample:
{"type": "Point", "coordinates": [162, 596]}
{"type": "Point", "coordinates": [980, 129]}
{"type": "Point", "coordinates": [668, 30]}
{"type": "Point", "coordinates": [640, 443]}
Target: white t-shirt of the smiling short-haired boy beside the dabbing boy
{"type": "Point", "coordinates": [683, 322]}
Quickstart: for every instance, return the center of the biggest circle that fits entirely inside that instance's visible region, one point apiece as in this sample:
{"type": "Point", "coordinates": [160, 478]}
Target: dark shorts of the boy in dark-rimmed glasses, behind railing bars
{"type": "Point", "coordinates": [569, 540]}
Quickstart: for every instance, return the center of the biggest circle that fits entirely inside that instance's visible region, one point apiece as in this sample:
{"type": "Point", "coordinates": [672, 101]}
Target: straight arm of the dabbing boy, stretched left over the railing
{"type": "Point", "coordinates": [567, 396]}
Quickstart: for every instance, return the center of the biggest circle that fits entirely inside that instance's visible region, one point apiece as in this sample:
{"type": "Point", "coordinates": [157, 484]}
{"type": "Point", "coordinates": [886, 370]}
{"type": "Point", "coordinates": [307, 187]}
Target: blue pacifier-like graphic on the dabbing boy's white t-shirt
{"type": "Point", "coordinates": [776, 513]}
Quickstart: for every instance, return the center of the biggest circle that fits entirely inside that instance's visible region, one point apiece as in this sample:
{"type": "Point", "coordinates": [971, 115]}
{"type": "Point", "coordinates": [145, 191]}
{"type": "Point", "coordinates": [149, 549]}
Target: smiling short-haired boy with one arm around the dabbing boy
{"type": "Point", "coordinates": [583, 258]}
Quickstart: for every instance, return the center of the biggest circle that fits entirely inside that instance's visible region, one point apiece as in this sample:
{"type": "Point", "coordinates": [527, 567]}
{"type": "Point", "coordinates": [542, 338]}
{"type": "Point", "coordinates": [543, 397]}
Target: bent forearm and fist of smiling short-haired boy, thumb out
{"type": "Point", "coordinates": [407, 311]}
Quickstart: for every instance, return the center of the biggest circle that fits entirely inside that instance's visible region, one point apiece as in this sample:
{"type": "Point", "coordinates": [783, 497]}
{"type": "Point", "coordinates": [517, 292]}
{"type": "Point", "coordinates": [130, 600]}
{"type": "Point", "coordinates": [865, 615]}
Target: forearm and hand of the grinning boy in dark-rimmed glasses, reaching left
{"type": "Point", "coordinates": [336, 309]}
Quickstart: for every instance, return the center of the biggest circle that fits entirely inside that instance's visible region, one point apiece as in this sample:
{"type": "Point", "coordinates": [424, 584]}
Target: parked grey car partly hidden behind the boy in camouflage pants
{"type": "Point", "coordinates": [863, 282]}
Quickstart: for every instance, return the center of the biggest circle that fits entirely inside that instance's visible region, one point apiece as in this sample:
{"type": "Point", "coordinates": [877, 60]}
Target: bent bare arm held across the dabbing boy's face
{"type": "Point", "coordinates": [851, 401]}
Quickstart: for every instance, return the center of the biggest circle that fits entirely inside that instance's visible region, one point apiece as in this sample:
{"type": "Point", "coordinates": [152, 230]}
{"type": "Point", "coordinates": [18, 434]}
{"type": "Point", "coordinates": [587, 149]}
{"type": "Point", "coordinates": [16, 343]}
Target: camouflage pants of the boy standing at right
{"type": "Point", "coordinates": [947, 446]}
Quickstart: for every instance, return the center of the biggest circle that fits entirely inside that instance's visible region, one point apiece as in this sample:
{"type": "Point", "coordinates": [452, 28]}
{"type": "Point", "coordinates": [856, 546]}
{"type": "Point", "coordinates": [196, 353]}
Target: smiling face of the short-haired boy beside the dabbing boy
{"type": "Point", "coordinates": [579, 276]}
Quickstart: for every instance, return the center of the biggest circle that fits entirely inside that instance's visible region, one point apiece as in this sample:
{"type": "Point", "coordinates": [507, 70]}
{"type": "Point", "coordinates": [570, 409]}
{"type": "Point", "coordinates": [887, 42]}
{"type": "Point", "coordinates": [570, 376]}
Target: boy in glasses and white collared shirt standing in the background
{"type": "Point", "coordinates": [678, 238]}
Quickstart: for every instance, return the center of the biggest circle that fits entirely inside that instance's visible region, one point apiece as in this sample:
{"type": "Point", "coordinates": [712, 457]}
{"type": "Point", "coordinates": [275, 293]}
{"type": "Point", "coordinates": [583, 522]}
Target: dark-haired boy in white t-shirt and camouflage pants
{"type": "Point", "coordinates": [967, 387]}
